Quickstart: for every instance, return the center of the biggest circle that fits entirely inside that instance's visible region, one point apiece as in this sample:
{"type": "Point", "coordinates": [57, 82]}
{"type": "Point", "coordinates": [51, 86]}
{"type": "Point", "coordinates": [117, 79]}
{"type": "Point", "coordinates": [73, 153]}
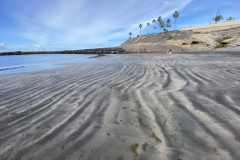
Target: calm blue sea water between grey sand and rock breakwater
{"type": "Point", "coordinates": [35, 62]}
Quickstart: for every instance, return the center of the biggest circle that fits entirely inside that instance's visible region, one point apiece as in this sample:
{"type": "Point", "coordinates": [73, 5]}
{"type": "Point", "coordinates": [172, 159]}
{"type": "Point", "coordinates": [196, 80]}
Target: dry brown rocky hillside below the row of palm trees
{"type": "Point", "coordinates": [224, 36]}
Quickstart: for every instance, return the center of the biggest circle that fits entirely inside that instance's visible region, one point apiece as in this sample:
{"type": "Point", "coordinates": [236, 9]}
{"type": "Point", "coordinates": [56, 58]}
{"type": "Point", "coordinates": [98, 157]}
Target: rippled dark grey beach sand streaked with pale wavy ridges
{"type": "Point", "coordinates": [139, 106]}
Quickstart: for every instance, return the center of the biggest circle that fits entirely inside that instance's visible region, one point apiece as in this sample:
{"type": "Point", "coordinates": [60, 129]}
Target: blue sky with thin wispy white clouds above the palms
{"type": "Point", "coordinates": [41, 25]}
